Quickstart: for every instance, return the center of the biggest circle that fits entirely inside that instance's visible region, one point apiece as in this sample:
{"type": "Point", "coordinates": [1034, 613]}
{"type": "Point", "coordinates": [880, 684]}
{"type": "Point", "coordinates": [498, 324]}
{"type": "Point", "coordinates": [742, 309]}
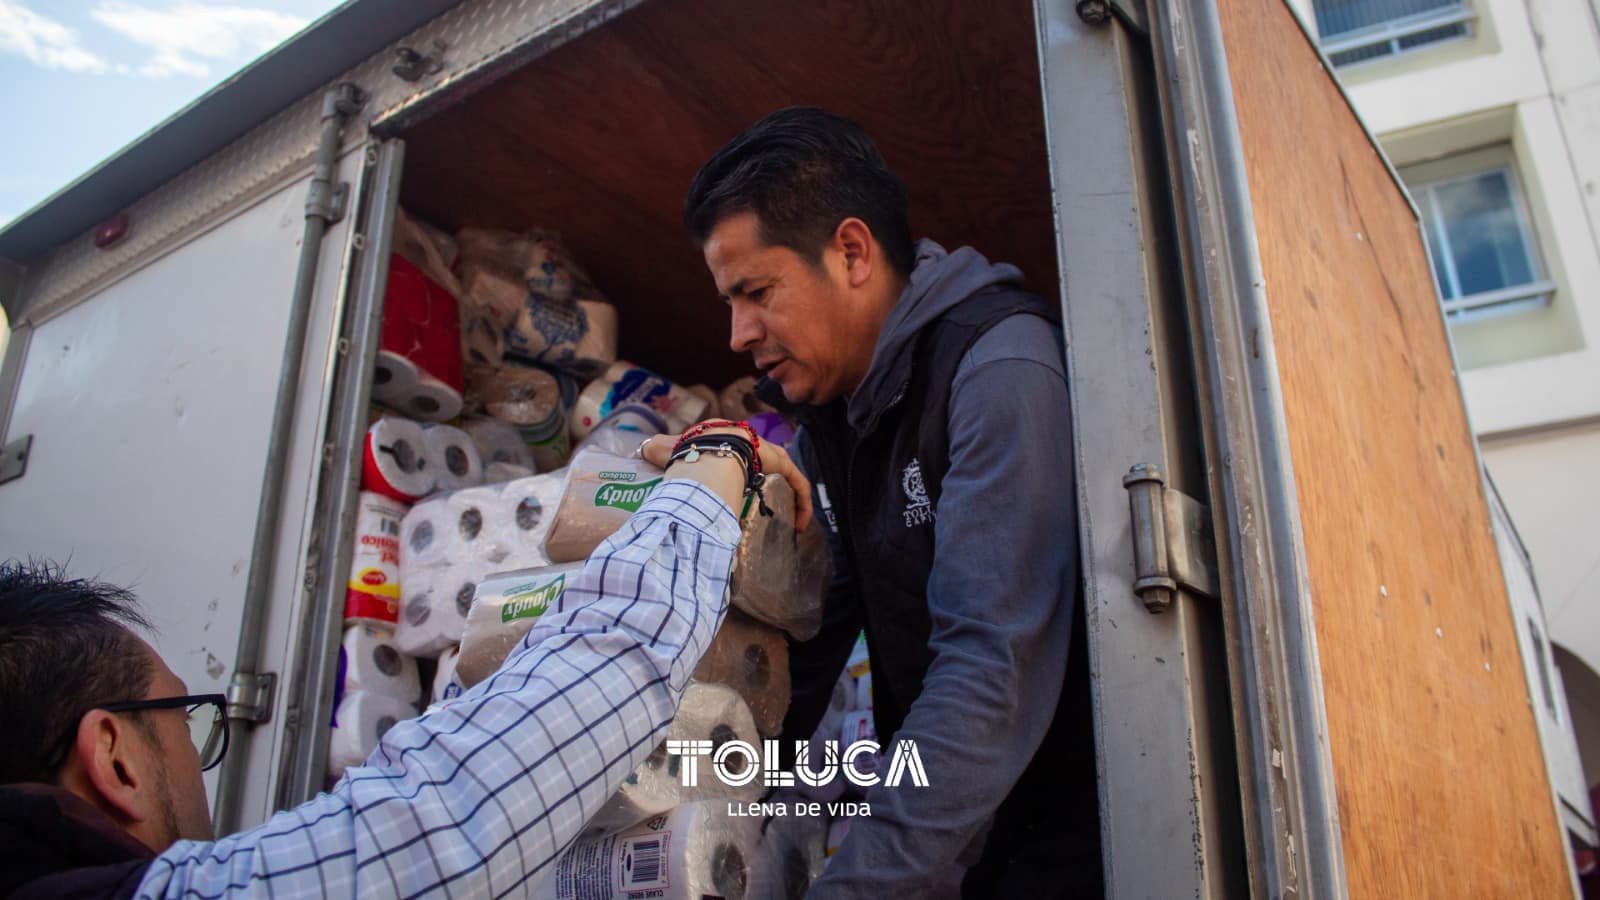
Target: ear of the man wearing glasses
{"type": "Point", "coordinates": [111, 768]}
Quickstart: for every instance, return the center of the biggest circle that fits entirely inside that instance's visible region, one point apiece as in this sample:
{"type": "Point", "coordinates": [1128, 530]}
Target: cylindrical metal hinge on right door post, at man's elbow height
{"type": "Point", "coordinates": [1174, 545]}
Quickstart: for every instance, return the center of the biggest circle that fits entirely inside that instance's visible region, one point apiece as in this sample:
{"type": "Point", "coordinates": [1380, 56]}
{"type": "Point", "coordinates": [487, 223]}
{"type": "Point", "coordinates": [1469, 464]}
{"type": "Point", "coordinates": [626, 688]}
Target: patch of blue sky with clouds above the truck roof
{"type": "Point", "coordinates": [86, 78]}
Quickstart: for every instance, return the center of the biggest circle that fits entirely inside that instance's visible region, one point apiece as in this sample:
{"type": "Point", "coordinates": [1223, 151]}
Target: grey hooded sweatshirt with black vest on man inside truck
{"type": "Point", "coordinates": [948, 486]}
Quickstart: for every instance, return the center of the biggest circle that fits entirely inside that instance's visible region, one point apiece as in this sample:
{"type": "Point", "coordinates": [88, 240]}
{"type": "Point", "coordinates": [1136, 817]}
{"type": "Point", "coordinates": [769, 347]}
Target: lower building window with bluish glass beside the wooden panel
{"type": "Point", "coordinates": [1479, 235]}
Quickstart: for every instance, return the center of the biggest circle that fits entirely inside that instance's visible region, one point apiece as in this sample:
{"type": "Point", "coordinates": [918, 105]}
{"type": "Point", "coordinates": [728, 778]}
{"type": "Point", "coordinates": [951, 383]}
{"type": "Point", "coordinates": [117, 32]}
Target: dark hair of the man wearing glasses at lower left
{"type": "Point", "coordinates": [65, 649]}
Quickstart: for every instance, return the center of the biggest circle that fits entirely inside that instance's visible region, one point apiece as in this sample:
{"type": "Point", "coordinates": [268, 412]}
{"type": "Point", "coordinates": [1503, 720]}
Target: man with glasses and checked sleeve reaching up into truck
{"type": "Point", "coordinates": [100, 771]}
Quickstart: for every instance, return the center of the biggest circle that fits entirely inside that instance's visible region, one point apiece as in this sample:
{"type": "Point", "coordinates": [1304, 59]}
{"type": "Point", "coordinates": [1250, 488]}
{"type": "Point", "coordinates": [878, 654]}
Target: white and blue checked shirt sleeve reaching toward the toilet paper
{"type": "Point", "coordinates": [479, 798]}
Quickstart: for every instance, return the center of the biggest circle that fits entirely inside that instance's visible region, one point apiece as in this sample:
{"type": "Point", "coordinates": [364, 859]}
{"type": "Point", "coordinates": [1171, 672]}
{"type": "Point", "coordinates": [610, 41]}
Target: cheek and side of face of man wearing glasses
{"type": "Point", "coordinates": [177, 760]}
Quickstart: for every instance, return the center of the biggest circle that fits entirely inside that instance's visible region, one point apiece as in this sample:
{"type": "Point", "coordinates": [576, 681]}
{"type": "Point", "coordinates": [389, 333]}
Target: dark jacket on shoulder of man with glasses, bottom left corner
{"type": "Point", "coordinates": [57, 845]}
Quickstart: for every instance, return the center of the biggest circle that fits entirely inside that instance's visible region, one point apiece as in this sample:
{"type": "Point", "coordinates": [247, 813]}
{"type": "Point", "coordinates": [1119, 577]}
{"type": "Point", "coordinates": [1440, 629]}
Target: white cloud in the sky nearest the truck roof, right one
{"type": "Point", "coordinates": [185, 38]}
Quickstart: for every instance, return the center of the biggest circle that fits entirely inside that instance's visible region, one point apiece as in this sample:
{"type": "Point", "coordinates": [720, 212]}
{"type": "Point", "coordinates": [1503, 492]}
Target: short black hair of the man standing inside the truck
{"type": "Point", "coordinates": [802, 171]}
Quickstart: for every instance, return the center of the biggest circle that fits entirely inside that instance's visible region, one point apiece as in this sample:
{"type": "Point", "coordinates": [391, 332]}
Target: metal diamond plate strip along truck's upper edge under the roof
{"type": "Point", "coordinates": [482, 41]}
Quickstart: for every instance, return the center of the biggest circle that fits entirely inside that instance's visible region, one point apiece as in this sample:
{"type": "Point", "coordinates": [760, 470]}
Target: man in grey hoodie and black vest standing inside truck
{"type": "Point", "coordinates": [934, 400]}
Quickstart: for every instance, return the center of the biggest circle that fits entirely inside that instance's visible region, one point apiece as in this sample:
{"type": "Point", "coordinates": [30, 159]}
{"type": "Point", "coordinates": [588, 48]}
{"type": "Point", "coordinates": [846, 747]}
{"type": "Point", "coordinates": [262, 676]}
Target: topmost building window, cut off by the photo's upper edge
{"type": "Point", "coordinates": [1356, 31]}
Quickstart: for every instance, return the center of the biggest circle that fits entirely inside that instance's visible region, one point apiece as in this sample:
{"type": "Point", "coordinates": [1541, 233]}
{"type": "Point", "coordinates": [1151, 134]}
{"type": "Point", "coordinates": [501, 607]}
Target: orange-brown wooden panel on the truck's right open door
{"type": "Point", "coordinates": [1441, 782]}
